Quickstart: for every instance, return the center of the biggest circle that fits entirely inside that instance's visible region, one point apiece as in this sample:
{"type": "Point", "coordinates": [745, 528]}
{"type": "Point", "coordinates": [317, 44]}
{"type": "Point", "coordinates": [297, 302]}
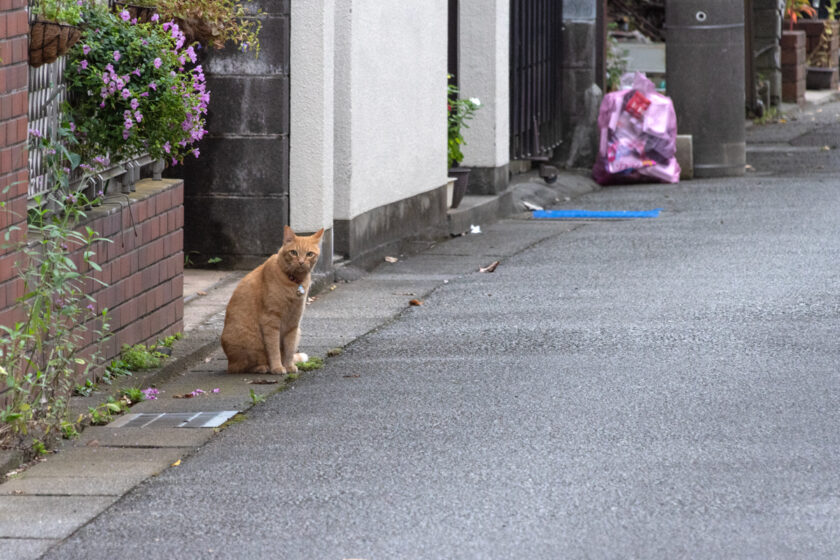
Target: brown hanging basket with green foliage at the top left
{"type": "Point", "coordinates": [53, 29]}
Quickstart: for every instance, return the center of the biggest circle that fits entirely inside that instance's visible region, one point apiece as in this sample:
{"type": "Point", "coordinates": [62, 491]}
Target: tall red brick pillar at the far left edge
{"type": "Point", "coordinates": [14, 168]}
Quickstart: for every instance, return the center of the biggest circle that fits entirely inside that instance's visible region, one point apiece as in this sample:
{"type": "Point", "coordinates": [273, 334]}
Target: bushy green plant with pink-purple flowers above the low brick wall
{"type": "Point", "coordinates": [131, 92]}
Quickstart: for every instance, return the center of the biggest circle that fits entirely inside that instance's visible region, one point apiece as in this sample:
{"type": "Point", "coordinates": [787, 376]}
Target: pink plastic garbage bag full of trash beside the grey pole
{"type": "Point", "coordinates": [638, 135]}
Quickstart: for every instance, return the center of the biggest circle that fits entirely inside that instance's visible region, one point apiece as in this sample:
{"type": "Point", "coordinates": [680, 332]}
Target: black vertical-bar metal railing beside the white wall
{"type": "Point", "coordinates": [535, 77]}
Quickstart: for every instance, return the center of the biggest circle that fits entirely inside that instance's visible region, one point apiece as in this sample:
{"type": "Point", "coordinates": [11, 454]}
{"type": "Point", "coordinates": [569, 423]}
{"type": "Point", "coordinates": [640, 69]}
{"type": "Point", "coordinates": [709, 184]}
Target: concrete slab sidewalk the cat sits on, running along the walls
{"type": "Point", "coordinates": [48, 501]}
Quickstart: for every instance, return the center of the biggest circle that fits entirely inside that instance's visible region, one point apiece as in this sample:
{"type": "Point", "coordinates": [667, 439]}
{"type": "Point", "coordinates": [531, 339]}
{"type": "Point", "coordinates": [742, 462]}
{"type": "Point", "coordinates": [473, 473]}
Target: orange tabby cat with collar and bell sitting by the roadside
{"type": "Point", "coordinates": [262, 319]}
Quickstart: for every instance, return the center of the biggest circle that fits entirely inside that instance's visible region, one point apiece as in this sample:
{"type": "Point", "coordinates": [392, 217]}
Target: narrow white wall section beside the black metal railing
{"type": "Point", "coordinates": [483, 72]}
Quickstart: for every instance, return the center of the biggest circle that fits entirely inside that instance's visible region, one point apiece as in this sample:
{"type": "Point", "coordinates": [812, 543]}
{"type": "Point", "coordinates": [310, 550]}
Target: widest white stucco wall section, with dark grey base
{"type": "Point", "coordinates": [390, 102]}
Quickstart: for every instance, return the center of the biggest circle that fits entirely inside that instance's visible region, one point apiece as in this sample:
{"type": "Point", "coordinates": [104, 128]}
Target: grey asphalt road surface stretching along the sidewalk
{"type": "Point", "coordinates": [653, 388]}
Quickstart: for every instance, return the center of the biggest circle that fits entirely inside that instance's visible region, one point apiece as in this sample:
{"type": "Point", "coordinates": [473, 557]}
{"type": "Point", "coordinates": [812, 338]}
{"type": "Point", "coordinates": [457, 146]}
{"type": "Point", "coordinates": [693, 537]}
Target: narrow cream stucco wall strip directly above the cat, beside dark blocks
{"type": "Point", "coordinates": [311, 103]}
